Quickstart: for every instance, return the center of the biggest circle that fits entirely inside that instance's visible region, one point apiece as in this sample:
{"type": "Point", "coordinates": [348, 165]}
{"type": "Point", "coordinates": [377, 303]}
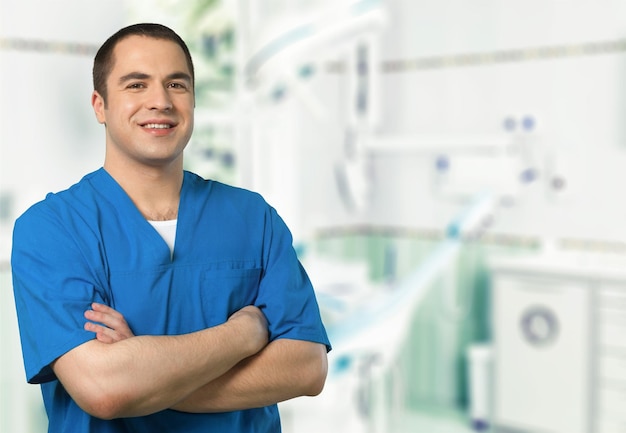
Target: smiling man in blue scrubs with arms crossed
{"type": "Point", "coordinates": [148, 298]}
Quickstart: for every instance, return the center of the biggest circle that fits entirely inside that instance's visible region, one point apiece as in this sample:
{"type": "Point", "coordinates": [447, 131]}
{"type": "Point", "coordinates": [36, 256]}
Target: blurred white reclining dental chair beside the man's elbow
{"type": "Point", "coordinates": [366, 387]}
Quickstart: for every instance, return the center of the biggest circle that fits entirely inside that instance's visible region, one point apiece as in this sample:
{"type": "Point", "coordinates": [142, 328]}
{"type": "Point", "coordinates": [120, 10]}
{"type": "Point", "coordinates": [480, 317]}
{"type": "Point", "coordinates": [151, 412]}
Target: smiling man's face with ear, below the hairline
{"type": "Point", "coordinates": [150, 101]}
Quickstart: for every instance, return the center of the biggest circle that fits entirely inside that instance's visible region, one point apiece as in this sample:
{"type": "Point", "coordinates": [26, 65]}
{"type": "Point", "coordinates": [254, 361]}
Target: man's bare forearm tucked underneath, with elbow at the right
{"type": "Point", "coordinates": [284, 369]}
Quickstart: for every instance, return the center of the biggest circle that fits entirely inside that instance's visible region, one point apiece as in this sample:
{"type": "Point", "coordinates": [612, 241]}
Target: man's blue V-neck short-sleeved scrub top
{"type": "Point", "coordinates": [91, 244]}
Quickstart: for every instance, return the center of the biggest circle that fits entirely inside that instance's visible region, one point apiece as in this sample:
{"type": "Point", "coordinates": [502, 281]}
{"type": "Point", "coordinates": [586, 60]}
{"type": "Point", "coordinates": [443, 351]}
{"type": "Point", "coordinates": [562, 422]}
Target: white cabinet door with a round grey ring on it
{"type": "Point", "coordinates": [541, 345]}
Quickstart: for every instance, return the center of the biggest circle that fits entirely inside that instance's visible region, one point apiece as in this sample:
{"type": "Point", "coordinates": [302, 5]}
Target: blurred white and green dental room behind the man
{"type": "Point", "coordinates": [452, 172]}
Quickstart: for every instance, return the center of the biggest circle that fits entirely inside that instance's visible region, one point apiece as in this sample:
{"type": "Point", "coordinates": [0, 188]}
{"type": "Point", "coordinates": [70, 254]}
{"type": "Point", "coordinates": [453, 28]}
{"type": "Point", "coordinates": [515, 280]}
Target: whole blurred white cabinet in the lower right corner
{"type": "Point", "coordinates": [559, 331]}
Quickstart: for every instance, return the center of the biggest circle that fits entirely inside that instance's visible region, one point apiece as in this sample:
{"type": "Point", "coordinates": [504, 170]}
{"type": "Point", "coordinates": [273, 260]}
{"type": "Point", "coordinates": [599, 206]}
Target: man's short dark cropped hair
{"type": "Point", "coordinates": [103, 62]}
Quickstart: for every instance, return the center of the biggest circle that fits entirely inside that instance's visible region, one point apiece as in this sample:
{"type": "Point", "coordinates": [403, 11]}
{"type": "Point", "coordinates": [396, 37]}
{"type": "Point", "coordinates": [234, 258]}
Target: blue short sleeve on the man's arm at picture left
{"type": "Point", "coordinates": [53, 286]}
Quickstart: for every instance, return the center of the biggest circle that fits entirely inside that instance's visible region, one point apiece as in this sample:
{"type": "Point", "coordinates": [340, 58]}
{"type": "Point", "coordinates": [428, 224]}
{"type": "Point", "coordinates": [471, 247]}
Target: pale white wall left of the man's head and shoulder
{"type": "Point", "coordinates": [49, 136]}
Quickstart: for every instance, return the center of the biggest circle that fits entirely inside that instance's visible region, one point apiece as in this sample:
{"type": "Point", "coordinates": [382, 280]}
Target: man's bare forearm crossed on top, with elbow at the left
{"type": "Point", "coordinates": [146, 374]}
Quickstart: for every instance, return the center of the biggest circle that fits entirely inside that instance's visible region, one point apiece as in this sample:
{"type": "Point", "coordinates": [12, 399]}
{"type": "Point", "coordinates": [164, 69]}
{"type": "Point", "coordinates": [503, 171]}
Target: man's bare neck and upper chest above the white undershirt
{"type": "Point", "coordinates": [155, 191]}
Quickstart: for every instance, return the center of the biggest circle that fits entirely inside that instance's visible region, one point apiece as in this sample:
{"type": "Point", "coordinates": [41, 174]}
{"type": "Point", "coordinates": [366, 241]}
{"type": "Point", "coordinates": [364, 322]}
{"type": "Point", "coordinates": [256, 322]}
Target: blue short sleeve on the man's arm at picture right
{"type": "Point", "coordinates": [286, 294]}
